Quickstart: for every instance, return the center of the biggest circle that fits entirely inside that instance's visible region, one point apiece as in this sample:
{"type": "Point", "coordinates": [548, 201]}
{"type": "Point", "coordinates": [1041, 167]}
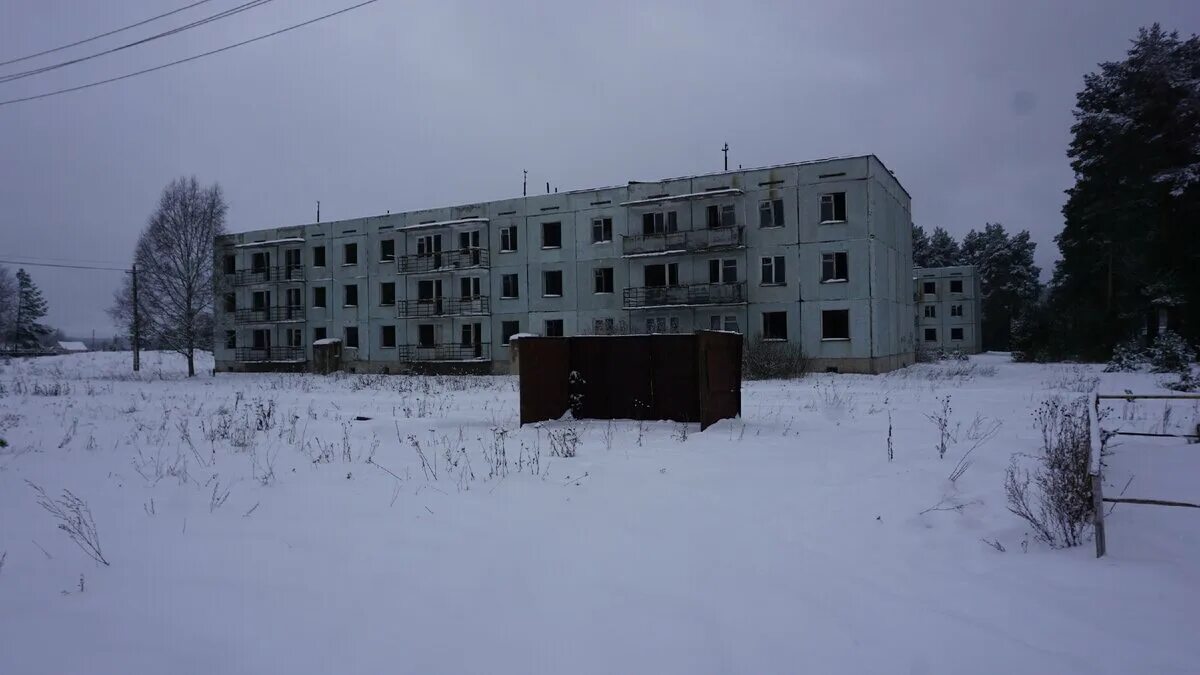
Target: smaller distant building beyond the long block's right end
{"type": "Point", "coordinates": [949, 314]}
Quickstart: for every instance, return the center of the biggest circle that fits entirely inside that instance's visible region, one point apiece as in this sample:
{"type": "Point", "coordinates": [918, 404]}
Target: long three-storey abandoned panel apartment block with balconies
{"type": "Point", "coordinates": [818, 254]}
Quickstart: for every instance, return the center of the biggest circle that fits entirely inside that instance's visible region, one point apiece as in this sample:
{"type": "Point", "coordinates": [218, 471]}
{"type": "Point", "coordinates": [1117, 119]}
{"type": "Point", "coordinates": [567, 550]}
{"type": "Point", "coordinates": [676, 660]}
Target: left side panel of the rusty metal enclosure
{"type": "Point", "coordinates": [545, 365]}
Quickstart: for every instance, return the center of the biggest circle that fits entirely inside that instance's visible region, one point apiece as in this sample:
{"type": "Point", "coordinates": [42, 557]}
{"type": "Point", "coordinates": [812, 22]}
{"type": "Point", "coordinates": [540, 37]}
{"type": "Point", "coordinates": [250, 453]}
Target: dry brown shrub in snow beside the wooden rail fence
{"type": "Point", "coordinates": [1055, 498]}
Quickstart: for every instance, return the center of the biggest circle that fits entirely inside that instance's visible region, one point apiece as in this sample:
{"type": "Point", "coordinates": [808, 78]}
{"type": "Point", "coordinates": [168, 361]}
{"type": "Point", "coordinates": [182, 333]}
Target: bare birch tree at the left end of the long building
{"type": "Point", "coordinates": [175, 262]}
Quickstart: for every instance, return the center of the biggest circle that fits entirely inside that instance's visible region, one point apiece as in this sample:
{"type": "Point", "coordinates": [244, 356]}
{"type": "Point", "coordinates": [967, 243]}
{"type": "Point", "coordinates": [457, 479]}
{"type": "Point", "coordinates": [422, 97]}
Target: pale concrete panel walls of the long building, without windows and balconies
{"type": "Point", "coordinates": [875, 235]}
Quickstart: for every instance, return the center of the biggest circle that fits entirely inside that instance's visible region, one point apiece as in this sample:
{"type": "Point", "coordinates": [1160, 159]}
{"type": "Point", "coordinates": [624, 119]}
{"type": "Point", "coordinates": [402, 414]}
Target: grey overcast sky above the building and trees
{"type": "Point", "coordinates": [398, 106]}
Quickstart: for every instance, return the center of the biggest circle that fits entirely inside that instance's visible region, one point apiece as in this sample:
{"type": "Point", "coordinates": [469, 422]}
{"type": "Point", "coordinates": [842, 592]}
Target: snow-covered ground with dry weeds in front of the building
{"type": "Point", "coordinates": [783, 542]}
